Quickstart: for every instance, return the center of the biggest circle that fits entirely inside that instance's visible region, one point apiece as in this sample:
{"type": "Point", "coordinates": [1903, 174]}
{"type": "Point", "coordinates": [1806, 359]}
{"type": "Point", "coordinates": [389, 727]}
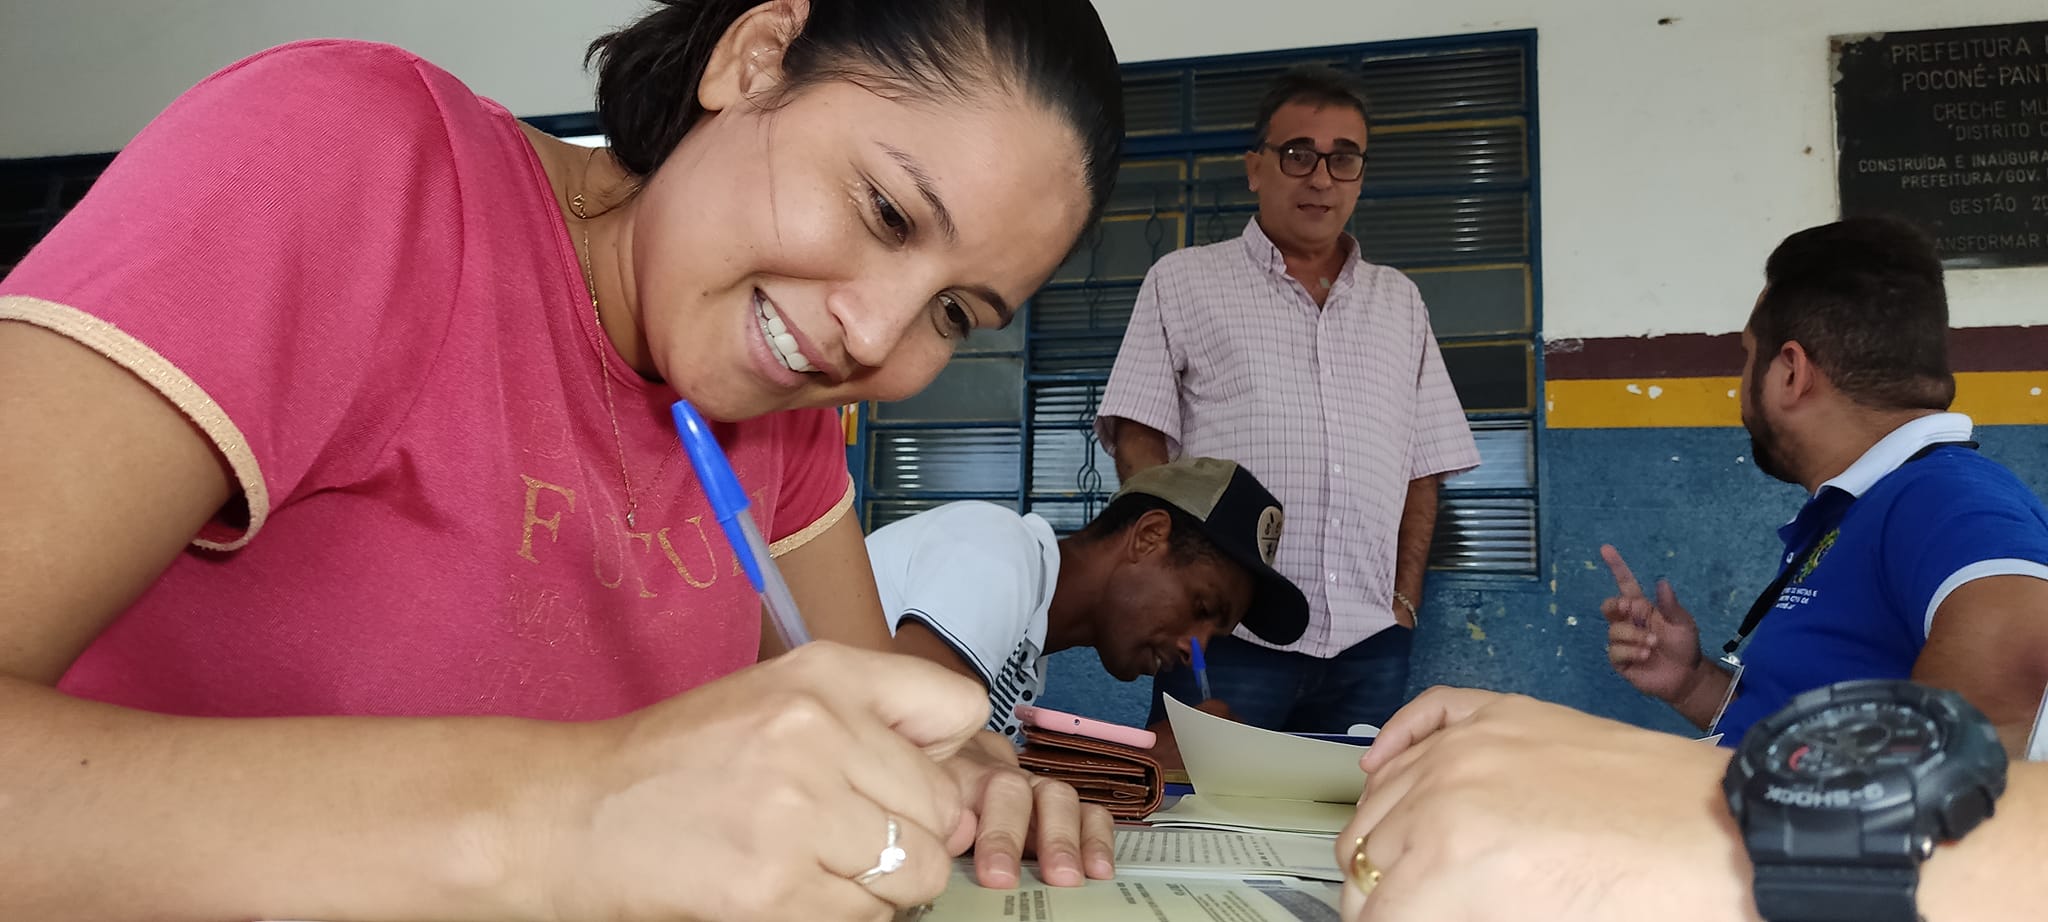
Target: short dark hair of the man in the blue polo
{"type": "Point", "coordinates": [1865, 298]}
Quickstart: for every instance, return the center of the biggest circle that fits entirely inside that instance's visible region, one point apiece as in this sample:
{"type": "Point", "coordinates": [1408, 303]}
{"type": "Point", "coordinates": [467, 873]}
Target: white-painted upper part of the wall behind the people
{"type": "Point", "coordinates": [1674, 157]}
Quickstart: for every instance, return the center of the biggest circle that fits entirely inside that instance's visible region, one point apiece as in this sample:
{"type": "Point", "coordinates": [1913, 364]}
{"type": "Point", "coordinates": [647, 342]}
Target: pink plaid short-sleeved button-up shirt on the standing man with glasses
{"type": "Point", "coordinates": [1336, 411]}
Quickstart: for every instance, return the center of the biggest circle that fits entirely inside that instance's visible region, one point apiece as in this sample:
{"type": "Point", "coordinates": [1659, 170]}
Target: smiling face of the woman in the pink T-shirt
{"type": "Point", "coordinates": [839, 245]}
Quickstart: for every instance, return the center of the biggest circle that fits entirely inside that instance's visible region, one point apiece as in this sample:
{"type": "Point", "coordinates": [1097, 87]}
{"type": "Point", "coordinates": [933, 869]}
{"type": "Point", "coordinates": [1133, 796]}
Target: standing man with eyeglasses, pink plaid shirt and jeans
{"type": "Point", "coordinates": [1318, 372]}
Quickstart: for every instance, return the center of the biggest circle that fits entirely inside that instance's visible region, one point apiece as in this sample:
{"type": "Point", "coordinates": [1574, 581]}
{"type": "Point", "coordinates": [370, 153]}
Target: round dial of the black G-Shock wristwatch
{"type": "Point", "coordinates": [1857, 739]}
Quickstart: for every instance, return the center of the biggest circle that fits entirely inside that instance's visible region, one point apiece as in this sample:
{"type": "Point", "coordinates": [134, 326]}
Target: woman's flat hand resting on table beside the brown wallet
{"type": "Point", "coordinates": [1013, 814]}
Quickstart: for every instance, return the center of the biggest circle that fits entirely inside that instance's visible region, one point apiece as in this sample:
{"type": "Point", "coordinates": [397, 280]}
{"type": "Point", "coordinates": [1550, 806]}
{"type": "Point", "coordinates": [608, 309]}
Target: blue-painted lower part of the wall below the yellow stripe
{"type": "Point", "coordinates": [1680, 503]}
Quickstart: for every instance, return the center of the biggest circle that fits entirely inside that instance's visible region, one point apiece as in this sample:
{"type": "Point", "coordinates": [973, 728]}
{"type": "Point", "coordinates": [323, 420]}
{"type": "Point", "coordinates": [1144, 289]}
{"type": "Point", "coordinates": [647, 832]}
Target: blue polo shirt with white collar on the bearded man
{"type": "Point", "coordinates": [1895, 540]}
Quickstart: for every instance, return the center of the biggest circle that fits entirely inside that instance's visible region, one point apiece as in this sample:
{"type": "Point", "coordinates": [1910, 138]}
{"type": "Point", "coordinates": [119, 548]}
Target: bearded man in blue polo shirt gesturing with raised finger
{"type": "Point", "coordinates": [1916, 556]}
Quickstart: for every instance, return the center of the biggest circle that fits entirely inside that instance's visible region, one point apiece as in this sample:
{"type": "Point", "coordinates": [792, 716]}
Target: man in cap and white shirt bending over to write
{"type": "Point", "coordinates": [1183, 552]}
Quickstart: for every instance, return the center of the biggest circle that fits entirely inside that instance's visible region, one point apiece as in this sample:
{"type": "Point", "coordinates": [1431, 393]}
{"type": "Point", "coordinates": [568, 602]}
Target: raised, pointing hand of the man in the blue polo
{"type": "Point", "coordinates": [1656, 646]}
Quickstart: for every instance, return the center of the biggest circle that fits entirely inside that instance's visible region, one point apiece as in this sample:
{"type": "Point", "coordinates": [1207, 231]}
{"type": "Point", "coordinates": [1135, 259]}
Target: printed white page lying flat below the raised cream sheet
{"type": "Point", "coordinates": [1226, 853]}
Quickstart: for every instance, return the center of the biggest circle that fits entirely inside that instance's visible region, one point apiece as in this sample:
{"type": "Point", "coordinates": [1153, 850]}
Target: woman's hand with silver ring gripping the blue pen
{"type": "Point", "coordinates": [759, 796]}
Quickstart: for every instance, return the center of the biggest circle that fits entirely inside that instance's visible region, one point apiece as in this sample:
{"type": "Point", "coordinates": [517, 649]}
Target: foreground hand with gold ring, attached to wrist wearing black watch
{"type": "Point", "coordinates": [1500, 808]}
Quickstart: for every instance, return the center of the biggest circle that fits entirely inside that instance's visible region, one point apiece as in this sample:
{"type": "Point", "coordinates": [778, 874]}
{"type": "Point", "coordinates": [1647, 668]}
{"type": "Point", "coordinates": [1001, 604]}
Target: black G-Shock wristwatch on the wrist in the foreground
{"type": "Point", "coordinates": [1846, 792]}
